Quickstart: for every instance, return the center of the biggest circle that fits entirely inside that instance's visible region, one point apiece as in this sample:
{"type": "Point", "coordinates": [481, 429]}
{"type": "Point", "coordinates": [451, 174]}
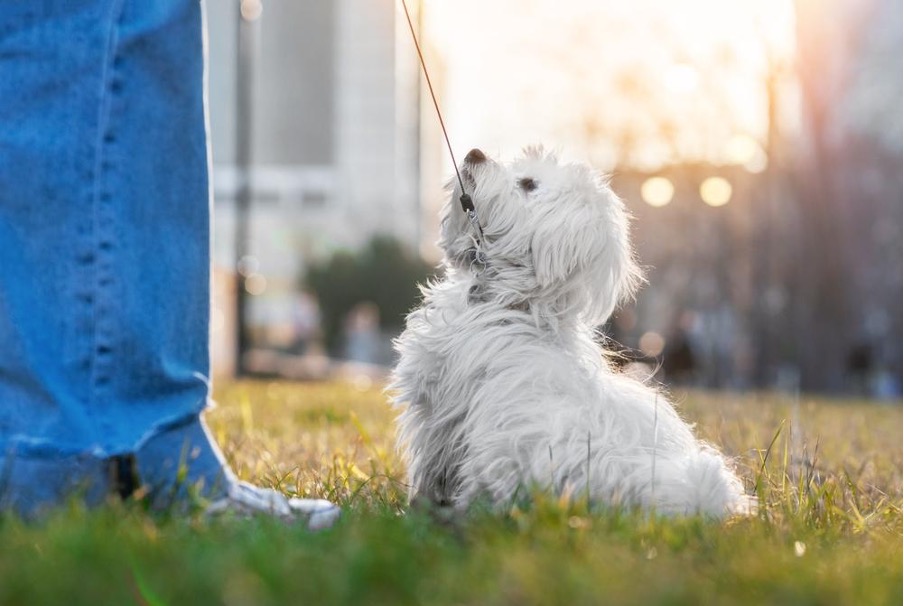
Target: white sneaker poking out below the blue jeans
{"type": "Point", "coordinates": [245, 499]}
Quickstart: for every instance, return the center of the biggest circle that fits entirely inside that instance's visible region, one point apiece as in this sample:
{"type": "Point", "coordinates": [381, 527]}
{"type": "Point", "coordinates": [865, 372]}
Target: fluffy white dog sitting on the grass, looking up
{"type": "Point", "coordinates": [503, 385]}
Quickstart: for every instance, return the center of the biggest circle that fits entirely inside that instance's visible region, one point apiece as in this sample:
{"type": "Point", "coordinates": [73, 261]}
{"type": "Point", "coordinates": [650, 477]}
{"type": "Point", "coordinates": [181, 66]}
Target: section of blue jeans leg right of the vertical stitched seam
{"type": "Point", "coordinates": [152, 245]}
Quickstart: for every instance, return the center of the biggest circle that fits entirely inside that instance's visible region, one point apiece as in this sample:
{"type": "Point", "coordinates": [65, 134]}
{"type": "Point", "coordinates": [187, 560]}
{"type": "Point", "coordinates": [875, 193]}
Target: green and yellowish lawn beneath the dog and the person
{"type": "Point", "coordinates": [828, 475]}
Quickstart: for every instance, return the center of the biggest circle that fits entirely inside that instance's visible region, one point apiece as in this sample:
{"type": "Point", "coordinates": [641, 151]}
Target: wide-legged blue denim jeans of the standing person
{"type": "Point", "coordinates": [104, 247]}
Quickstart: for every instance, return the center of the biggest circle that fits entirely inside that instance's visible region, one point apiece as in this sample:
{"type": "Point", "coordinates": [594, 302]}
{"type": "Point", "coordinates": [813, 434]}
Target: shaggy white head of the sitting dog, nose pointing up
{"type": "Point", "coordinates": [555, 233]}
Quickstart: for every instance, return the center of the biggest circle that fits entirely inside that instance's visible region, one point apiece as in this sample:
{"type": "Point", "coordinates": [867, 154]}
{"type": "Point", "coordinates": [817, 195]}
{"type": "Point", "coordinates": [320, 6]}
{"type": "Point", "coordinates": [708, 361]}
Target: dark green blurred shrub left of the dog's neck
{"type": "Point", "coordinates": [385, 273]}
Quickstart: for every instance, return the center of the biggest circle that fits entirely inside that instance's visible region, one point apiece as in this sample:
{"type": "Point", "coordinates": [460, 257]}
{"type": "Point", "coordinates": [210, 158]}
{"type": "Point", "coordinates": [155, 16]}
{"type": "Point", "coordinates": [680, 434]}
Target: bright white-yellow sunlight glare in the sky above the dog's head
{"type": "Point", "coordinates": [644, 84]}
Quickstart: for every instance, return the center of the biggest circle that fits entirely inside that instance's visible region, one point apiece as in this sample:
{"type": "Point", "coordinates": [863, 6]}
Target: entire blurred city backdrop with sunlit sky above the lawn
{"type": "Point", "coordinates": [758, 143]}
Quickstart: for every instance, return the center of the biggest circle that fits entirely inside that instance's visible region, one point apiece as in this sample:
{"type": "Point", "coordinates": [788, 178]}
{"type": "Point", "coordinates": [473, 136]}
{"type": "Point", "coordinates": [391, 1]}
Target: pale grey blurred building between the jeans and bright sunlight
{"type": "Point", "coordinates": [334, 142]}
